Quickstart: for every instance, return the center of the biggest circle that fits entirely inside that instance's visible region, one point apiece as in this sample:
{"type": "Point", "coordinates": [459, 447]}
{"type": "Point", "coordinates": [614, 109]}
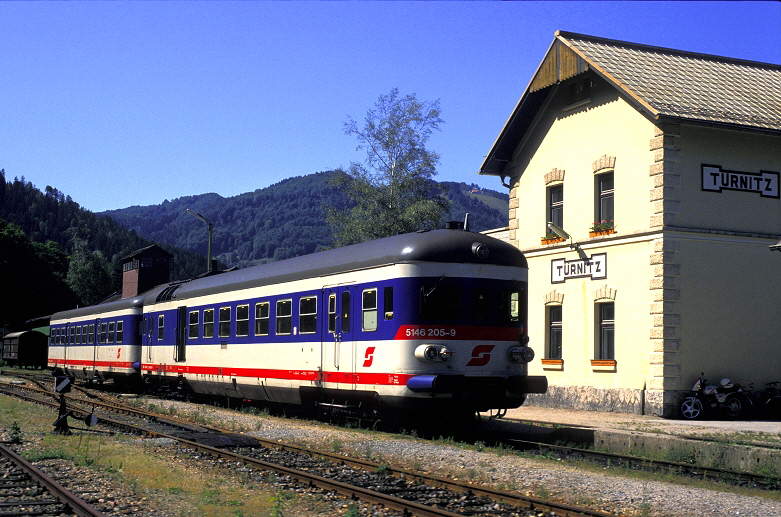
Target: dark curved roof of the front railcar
{"type": "Point", "coordinates": [453, 246]}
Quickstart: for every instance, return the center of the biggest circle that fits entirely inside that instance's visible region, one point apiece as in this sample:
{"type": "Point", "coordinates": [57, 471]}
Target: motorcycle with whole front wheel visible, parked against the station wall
{"type": "Point", "coordinates": [709, 399]}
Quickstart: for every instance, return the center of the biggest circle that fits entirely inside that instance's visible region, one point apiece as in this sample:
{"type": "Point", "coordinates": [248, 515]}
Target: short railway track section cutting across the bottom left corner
{"type": "Point", "coordinates": [26, 490]}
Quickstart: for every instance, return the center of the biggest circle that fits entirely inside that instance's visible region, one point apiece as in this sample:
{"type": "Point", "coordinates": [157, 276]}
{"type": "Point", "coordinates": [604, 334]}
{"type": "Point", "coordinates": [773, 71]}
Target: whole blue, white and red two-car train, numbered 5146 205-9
{"type": "Point", "coordinates": [429, 323]}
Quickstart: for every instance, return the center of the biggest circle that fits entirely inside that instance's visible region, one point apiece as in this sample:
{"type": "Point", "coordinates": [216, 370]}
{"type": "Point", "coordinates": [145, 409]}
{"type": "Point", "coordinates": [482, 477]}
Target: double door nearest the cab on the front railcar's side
{"type": "Point", "coordinates": [337, 365]}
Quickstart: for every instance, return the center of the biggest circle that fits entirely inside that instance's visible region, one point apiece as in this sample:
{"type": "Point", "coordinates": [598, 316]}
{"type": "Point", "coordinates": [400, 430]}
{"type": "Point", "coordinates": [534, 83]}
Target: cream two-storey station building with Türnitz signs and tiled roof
{"type": "Point", "coordinates": [659, 170]}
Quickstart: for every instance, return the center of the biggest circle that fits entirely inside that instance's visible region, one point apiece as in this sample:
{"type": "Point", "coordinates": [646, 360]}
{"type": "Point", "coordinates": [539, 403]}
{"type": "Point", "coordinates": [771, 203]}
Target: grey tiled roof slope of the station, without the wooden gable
{"type": "Point", "coordinates": [687, 85]}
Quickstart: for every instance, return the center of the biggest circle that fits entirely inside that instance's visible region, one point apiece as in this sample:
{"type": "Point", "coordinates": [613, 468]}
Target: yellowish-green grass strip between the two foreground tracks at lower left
{"type": "Point", "coordinates": [151, 471]}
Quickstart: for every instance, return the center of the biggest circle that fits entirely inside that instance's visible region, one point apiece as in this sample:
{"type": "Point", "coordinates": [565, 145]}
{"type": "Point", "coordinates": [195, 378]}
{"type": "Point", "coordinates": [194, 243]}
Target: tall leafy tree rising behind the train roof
{"type": "Point", "coordinates": [393, 191]}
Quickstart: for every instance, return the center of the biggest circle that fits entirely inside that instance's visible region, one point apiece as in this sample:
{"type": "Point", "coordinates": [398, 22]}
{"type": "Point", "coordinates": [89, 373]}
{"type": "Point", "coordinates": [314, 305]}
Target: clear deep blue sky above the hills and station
{"type": "Point", "coordinates": [131, 103]}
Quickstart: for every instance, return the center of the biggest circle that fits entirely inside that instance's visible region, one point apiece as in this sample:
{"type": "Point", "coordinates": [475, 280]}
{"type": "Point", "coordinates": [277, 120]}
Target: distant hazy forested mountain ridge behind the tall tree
{"type": "Point", "coordinates": [284, 220]}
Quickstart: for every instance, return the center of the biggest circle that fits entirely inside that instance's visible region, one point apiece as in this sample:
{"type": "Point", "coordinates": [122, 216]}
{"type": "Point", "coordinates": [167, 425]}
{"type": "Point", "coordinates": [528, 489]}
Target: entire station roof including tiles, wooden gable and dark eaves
{"type": "Point", "coordinates": [661, 82]}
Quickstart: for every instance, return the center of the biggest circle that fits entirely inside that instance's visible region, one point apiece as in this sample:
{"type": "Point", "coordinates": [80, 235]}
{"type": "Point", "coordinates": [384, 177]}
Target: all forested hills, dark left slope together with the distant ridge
{"type": "Point", "coordinates": [55, 255]}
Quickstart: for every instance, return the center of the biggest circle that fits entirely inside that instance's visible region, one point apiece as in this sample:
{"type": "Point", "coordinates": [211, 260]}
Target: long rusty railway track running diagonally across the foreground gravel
{"type": "Point", "coordinates": [408, 493]}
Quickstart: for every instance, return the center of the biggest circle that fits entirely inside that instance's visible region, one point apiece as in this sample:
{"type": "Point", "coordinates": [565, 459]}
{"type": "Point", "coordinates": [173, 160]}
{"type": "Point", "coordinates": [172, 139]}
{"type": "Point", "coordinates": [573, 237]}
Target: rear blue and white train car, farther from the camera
{"type": "Point", "coordinates": [99, 342]}
